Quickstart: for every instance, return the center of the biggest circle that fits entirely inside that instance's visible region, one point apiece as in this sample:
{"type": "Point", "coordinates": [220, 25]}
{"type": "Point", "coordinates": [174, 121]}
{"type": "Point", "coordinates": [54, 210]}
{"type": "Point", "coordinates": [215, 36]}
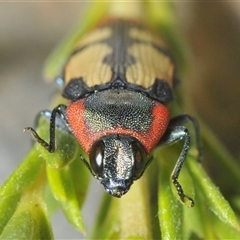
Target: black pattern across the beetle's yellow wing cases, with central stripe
{"type": "Point", "coordinates": [119, 60]}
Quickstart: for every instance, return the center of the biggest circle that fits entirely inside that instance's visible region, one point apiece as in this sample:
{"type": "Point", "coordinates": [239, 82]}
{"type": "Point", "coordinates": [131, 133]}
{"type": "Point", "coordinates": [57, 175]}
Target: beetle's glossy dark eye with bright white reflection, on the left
{"type": "Point", "coordinates": [96, 157]}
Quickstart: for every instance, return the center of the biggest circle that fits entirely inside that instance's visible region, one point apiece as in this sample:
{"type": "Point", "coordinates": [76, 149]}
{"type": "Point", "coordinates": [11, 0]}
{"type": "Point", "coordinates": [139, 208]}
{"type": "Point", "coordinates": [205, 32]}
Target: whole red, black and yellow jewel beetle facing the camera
{"type": "Point", "coordinates": [119, 78]}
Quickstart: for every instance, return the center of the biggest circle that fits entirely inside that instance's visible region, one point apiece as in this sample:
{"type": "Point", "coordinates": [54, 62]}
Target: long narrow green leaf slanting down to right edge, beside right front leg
{"type": "Point", "coordinates": [212, 195]}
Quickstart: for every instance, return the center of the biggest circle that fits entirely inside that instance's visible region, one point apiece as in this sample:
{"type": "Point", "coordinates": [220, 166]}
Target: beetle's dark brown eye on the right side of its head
{"type": "Point", "coordinates": [139, 157]}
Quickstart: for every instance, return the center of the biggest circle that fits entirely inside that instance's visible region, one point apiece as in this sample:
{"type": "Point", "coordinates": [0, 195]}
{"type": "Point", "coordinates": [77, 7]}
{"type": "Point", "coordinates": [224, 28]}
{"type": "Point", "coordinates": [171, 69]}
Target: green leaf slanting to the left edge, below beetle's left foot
{"type": "Point", "coordinates": [24, 175]}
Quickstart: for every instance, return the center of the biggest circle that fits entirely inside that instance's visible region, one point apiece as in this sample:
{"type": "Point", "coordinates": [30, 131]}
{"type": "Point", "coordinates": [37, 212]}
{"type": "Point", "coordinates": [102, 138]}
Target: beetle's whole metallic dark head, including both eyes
{"type": "Point", "coordinates": [117, 160]}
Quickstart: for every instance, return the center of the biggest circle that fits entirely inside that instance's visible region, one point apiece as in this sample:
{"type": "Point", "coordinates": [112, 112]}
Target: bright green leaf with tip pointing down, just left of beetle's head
{"type": "Point", "coordinates": [69, 186]}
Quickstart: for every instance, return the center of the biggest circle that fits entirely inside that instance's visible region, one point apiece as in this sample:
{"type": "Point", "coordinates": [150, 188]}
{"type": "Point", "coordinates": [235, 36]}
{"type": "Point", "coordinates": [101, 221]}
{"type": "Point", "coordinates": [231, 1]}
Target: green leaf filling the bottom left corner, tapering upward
{"type": "Point", "coordinates": [30, 220]}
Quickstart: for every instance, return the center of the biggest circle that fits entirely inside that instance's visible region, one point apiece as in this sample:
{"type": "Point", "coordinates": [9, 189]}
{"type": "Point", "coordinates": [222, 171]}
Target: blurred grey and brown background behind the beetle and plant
{"type": "Point", "coordinates": [29, 32]}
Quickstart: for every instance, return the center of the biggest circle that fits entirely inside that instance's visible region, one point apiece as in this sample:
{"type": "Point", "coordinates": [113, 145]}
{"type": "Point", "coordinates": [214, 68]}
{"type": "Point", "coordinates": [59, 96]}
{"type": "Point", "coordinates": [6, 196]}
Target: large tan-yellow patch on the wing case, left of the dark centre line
{"type": "Point", "coordinates": [88, 64]}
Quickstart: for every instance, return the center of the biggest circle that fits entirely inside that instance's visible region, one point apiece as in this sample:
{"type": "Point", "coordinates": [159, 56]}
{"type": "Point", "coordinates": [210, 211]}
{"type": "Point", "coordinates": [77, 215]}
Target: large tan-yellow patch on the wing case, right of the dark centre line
{"type": "Point", "coordinates": [150, 64]}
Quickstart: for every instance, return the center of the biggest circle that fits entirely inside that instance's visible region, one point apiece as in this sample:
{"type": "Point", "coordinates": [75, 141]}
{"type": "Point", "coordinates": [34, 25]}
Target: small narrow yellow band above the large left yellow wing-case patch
{"type": "Point", "coordinates": [95, 35]}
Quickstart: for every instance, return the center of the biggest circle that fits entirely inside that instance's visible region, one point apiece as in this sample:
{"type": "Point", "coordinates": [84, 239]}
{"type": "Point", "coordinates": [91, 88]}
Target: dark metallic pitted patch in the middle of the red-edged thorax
{"type": "Point", "coordinates": [113, 108]}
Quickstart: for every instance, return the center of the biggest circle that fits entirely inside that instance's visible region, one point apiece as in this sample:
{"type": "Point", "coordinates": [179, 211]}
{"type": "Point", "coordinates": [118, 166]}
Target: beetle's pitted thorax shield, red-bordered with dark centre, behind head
{"type": "Point", "coordinates": [117, 111]}
